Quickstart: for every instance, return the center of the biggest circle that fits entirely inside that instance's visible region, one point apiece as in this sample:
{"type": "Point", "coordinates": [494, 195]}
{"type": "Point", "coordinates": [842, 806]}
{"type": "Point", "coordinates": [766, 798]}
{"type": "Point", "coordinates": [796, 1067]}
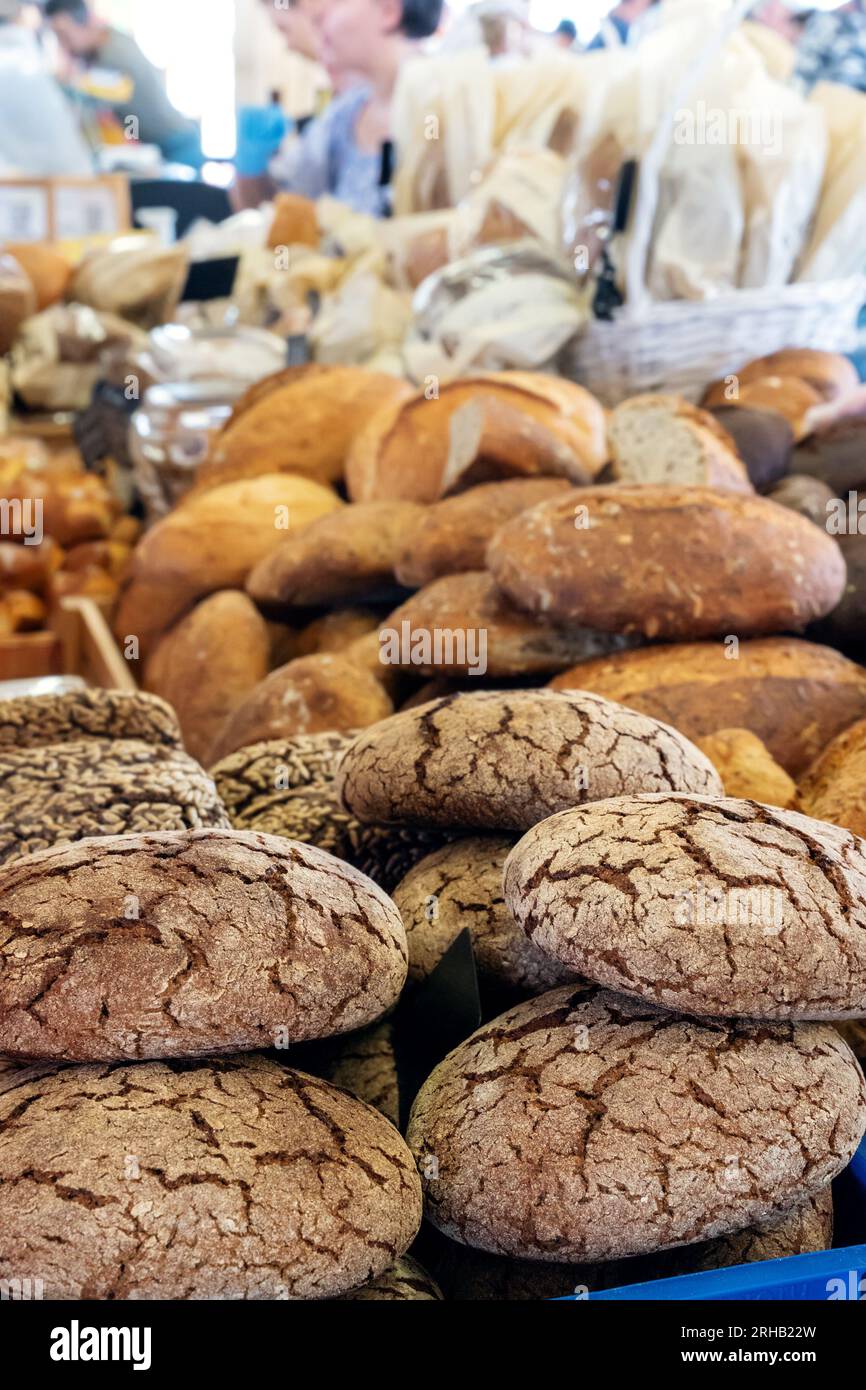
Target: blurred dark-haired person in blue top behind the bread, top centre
{"type": "Point", "coordinates": [343, 151]}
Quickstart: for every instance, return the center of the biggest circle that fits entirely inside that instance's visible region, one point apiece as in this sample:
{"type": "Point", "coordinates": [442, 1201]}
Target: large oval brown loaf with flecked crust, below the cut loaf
{"type": "Point", "coordinates": [669, 564]}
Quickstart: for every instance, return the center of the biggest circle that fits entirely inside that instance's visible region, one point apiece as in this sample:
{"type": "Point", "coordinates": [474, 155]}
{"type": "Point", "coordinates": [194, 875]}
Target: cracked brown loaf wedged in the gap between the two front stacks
{"type": "Point", "coordinates": [461, 888]}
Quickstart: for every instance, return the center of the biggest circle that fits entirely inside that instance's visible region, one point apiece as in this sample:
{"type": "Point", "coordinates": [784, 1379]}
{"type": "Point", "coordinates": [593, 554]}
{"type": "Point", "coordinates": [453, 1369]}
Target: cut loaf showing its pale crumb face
{"type": "Point", "coordinates": [665, 440]}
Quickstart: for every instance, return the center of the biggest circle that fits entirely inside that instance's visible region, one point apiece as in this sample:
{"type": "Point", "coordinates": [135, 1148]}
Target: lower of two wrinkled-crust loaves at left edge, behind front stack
{"type": "Point", "coordinates": [98, 787]}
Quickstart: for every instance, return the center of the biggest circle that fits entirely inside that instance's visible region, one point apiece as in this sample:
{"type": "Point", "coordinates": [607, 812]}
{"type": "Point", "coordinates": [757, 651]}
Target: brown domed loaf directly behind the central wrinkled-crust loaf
{"type": "Point", "coordinates": [311, 696]}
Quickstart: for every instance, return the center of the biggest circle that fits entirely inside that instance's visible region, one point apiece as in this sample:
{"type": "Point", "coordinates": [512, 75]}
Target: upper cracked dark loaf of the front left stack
{"type": "Point", "coordinates": [190, 945]}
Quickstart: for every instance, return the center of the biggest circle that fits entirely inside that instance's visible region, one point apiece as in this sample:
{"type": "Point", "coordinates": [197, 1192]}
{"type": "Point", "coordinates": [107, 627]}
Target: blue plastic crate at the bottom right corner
{"type": "Point", "coordinates": [826, 1275]}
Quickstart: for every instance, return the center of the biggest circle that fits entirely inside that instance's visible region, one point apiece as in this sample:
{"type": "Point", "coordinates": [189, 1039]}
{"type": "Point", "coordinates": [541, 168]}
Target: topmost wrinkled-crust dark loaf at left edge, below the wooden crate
{"type": "Point", "coordinates": [35, 721]}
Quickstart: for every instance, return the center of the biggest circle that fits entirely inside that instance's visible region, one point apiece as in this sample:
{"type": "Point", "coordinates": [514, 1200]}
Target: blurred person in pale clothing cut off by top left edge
{"type": "Point", "coordinates": [40, 130]}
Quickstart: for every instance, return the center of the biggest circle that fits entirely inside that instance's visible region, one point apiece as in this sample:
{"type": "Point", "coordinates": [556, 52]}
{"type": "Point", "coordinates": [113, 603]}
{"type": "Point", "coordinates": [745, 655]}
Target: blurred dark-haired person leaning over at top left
{"type": "Point", "coordinates": [94, 44]}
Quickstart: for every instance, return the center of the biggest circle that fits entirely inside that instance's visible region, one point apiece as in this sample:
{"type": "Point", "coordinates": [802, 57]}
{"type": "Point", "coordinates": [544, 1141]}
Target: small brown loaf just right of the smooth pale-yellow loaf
{"type": "Point", "coordinates": [345, 558]}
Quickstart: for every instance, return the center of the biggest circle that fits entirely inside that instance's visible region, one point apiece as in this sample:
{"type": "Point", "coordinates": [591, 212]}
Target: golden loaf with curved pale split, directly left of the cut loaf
{"type": "Point", "coordinates": [477, 430]}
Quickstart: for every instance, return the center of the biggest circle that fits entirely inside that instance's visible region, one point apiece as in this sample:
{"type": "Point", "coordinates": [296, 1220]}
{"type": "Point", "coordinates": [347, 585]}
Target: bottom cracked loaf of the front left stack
{"type": "Point", "coordinates": [220, 1179]}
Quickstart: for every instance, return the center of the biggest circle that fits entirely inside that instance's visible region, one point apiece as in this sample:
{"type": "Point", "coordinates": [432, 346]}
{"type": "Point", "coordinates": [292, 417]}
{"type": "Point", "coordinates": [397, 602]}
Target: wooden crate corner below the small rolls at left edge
{"type": "Point", "coordinates": [80, 644]}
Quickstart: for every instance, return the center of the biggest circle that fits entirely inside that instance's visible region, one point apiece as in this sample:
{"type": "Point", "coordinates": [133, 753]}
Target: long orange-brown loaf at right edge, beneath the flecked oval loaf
{"type": "Point", "coordinates": [793, 696]}
